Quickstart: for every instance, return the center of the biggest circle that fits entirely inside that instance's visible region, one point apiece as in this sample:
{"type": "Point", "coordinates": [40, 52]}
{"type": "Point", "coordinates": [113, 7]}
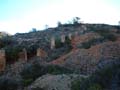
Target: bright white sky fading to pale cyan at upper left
{"type": "Point", "coordinates": [18, 16]}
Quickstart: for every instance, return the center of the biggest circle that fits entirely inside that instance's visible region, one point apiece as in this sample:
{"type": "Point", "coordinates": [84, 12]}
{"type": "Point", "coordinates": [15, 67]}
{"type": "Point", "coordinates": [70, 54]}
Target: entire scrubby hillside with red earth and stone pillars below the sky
{"type": "Point", "coordinates": [72, 56]}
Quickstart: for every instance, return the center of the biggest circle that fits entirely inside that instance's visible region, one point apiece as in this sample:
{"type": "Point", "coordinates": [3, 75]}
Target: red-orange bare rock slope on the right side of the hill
{"type": "Point", "coordinates": [86, 60]}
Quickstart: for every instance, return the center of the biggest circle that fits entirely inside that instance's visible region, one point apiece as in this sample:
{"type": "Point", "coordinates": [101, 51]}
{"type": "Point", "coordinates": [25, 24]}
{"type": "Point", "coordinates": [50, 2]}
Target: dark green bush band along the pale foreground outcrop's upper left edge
{"type": "Point", "coordinates": [35, 70]}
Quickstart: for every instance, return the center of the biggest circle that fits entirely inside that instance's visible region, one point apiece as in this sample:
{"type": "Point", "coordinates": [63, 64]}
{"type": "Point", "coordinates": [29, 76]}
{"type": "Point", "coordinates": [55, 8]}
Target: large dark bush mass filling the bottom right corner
{"type": "Point", "coordinates": [102, 79]}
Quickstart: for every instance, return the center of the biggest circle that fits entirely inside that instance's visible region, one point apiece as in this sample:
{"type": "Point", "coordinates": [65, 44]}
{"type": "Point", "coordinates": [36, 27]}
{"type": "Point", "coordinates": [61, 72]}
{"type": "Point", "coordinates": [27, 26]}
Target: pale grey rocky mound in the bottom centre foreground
{"type": "Point", "coordinates": [54, 82]}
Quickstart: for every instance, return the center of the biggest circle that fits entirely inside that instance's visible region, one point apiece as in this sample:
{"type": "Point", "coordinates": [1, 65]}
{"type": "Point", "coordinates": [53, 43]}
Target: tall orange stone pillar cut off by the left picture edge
{"type": "Point", "coordinates": [2, 60]}
